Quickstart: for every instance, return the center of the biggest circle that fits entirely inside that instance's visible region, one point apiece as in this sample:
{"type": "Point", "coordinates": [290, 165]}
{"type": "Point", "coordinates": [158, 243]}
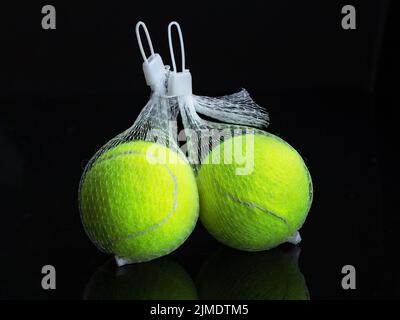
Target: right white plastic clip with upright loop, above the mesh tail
{"type": "Point", "coordinates": [179, 83]}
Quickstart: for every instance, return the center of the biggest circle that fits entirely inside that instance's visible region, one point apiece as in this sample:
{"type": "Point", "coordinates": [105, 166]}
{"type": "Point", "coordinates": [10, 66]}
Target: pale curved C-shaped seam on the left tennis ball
{"type": "Point", "coordinates": [162, 222]}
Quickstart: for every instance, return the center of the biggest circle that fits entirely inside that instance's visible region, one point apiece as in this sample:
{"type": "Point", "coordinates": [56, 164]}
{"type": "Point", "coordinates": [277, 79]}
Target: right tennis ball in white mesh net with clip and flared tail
{"type": "Point", "coordinates": [255, 189]}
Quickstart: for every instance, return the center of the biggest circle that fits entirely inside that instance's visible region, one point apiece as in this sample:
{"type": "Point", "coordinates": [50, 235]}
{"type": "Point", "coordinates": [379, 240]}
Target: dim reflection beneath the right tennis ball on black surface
{"type": "Point", "coordinates": [270, 275]}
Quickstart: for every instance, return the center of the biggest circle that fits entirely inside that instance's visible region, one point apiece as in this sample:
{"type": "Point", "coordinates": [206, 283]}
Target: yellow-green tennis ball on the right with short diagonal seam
{"type": "Point", "coordinates": [265, 205]}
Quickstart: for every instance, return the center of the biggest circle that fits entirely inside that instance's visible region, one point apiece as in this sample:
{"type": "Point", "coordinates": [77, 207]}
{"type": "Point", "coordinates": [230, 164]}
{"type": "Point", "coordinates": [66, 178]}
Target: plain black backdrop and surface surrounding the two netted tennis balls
{"type": "Point", "coordinates": [330, 93]}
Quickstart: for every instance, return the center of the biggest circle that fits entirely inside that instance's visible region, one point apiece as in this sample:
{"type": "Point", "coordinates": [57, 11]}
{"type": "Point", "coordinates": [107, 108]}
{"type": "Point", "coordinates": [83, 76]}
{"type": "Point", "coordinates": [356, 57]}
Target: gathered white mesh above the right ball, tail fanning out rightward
{"type": "Point", "coordinates": [234, 113]}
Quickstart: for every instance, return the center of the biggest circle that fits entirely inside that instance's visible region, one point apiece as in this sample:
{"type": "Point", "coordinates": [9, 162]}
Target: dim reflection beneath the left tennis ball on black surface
{"type": "Point", "coordinates": [160, 279]}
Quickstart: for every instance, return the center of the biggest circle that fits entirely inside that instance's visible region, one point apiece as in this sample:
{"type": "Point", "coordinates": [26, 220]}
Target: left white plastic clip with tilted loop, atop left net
{"type": "Point", "coordinates": [153, 66]}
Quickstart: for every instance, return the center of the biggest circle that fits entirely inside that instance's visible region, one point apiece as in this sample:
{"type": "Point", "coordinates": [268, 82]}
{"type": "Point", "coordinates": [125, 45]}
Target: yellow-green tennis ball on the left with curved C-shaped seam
{"type": "Point", "coordinates": [139, 201]}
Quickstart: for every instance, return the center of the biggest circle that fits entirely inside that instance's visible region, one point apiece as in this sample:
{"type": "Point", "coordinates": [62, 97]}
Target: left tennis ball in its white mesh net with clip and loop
{"type": "Point", "coordinates": [138, 196]}
